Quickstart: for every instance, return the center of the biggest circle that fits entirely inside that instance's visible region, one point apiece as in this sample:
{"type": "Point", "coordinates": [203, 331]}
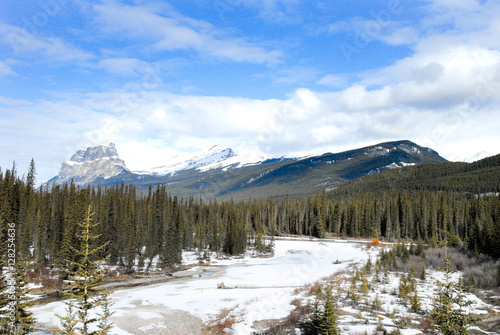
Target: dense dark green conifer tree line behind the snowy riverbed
{"type": "Point", "coordinates": [135, 226]}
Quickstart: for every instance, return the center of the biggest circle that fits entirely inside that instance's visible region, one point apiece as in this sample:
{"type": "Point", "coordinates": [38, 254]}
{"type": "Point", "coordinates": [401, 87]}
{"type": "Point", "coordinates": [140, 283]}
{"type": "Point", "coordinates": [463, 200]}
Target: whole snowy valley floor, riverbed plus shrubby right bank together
{"type": "Point", "coordinates": [242, 295]}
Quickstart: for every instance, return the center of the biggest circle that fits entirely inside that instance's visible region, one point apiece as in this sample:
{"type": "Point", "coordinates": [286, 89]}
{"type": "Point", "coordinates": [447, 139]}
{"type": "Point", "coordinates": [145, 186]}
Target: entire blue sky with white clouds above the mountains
{"type": "Point", "coordinates": [286, 77]}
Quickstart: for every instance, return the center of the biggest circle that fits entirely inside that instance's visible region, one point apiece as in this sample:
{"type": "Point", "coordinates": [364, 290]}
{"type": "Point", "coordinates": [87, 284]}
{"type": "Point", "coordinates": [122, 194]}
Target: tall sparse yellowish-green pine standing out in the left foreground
{"type": "Point", "coordinates": [85, 295]}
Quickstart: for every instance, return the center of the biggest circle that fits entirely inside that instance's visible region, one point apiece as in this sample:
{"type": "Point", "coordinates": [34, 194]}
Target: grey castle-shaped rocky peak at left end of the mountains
{"type": "Point", "coordinates": [91, 164]}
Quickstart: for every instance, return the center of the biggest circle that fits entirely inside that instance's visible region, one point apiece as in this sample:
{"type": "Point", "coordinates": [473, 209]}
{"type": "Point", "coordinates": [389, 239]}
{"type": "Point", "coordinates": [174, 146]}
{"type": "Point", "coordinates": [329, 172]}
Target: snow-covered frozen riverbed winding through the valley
{"type": "Point", "coordinates": [257, 289]}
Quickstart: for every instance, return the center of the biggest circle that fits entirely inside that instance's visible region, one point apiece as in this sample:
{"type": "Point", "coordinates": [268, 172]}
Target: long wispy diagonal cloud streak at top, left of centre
{"type": "Point", "coordinates": [167, 30]}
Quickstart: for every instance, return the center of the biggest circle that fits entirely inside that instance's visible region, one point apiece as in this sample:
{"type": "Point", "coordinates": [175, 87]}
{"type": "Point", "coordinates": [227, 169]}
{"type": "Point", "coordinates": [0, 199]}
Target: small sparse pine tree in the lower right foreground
{"type": "Point", "coordinates": [448, 312]}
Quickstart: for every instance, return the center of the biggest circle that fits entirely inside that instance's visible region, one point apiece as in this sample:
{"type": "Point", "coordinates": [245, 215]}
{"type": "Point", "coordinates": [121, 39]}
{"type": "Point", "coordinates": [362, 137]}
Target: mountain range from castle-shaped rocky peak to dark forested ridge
{"type": "Point", "coordinates": [220, 172]}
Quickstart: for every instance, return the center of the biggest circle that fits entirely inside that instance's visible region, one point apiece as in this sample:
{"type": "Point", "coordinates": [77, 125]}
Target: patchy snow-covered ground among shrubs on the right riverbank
{"type": "Point", "coordinates": [392, 311]}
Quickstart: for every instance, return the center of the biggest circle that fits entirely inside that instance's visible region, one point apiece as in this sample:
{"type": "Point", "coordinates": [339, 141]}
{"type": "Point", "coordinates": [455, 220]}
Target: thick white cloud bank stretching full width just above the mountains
{"type": "Point", "coordinates": [156, 125]}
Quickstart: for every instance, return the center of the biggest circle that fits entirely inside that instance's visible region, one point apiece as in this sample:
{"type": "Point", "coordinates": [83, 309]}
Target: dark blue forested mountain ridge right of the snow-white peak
{"type": "Point", "coordinates": [298, 177]}
